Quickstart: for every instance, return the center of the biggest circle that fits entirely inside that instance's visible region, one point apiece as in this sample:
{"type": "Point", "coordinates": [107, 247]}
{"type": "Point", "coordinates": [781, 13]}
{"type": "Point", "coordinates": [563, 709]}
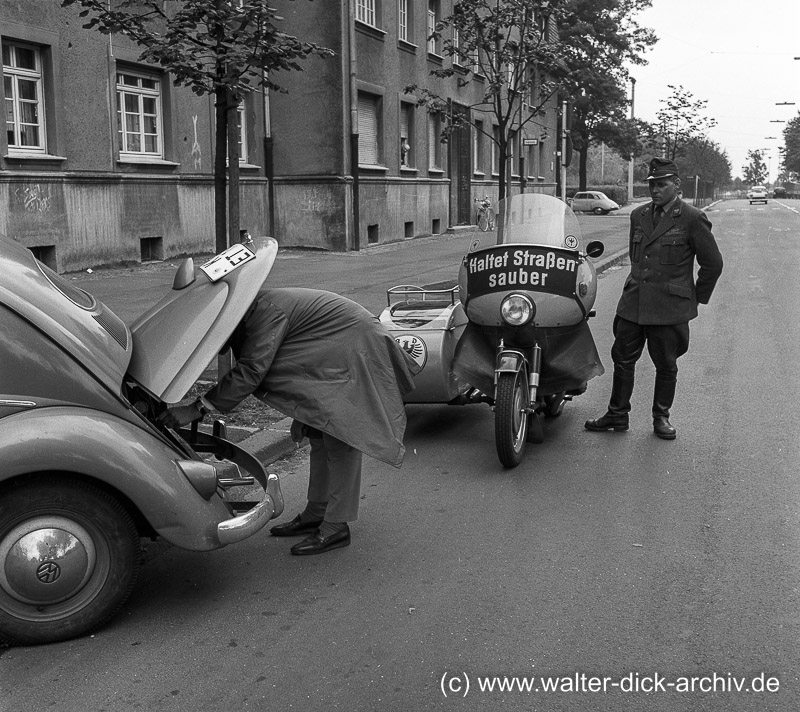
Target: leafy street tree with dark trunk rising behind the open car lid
{"type": "Point", "coordinates": [224, 48]}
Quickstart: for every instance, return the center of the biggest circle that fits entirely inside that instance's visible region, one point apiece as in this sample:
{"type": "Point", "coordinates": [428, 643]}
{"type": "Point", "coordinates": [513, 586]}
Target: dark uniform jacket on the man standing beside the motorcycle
{"type": "Point", "coordinates": [661, 287]}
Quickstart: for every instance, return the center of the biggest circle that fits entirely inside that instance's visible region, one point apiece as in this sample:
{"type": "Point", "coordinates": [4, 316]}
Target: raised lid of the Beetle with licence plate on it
{"type": "Point", "coordinates": [179, 337]}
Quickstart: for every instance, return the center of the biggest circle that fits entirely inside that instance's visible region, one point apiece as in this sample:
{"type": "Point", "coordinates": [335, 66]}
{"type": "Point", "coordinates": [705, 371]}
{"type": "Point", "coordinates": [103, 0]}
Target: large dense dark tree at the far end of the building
{"type": "Point", "coordinates": [600, 38]}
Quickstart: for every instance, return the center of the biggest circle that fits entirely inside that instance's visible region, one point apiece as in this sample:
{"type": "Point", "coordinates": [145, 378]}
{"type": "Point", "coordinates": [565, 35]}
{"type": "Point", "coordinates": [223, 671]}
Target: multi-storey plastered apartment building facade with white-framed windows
{"type": "Point", "coordinates": [104, 160]}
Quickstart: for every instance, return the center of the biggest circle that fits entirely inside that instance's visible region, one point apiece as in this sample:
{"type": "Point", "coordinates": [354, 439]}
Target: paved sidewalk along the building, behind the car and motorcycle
{"type": "Point", "coordinates": [362, 276]}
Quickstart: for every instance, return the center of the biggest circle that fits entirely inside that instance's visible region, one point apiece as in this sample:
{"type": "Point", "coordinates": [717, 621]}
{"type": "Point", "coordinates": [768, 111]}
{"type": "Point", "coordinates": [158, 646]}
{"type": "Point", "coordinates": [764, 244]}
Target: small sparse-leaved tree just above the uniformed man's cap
{"type": "Point", "coordinates": [679, 122]}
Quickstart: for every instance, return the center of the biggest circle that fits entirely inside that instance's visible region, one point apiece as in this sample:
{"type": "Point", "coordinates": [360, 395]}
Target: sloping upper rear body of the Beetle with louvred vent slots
{"type": "Point", "coordinates": [80, 324]}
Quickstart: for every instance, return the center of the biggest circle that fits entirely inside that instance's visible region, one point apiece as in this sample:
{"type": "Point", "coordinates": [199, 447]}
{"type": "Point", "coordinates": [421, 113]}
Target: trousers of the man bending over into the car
{"type": "Point", "coordinates": [335, 476]}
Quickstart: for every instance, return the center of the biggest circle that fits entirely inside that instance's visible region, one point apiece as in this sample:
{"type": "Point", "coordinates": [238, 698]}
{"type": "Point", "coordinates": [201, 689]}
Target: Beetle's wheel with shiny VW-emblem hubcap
{"type": "Point", "coordinates": [69, 557]}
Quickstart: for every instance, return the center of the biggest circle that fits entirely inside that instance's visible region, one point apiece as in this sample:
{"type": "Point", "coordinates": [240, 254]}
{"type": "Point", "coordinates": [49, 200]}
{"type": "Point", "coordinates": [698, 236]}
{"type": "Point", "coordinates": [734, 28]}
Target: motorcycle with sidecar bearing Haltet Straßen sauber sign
{"type": "Point", "coordinates": [513, 332]}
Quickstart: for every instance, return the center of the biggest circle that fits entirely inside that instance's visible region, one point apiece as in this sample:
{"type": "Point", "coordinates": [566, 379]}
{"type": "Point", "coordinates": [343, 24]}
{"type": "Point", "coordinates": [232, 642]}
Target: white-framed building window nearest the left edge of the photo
{"type": "Point", "coordinates": [22, 82]}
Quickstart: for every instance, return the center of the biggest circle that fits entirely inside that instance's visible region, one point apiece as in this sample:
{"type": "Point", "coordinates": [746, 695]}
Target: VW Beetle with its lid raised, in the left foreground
{"type": "Point", "coordinates": [86, 470]}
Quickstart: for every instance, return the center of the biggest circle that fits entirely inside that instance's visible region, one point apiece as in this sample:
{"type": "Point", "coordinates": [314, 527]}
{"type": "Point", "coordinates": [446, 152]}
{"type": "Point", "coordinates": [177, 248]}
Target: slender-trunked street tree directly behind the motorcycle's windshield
{"type": "Point", "coordinates": [509, 46]}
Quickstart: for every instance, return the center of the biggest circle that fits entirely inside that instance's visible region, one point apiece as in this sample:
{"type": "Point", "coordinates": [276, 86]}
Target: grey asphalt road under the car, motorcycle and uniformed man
{"type": "Point", "coordinates": [622, 559]}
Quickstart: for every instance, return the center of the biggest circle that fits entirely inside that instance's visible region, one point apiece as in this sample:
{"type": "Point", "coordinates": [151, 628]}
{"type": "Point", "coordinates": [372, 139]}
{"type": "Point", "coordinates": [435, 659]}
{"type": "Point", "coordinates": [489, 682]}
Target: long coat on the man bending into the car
{"type": "Point", "coordinates": [326, 361]}
